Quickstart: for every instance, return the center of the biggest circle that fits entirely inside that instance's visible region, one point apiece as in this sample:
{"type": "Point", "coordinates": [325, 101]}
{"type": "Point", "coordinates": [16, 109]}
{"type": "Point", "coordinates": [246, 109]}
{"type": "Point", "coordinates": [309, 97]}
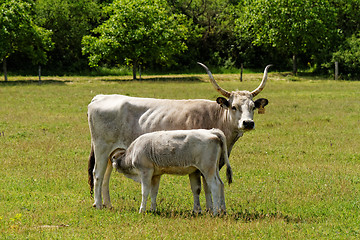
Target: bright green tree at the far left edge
{"type": "Point", "coordinates": [19, 33]}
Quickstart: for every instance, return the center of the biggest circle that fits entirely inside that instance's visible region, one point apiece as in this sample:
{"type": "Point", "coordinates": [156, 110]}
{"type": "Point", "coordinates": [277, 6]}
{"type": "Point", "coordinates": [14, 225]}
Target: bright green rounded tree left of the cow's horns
{"type": "Point", "coordinates": [137, 32]}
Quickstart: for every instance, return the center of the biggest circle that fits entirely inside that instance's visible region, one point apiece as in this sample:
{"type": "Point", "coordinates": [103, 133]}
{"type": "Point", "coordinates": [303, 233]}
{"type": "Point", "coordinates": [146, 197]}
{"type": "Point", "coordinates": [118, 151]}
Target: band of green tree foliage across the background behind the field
{"type": "Point", "coordinates": [172, 35]}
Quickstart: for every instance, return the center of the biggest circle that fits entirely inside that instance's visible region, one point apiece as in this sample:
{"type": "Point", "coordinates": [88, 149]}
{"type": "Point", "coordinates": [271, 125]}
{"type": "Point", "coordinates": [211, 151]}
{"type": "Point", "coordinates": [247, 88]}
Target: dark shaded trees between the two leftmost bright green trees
{"type": "Point", "coordinates": [69, 20]}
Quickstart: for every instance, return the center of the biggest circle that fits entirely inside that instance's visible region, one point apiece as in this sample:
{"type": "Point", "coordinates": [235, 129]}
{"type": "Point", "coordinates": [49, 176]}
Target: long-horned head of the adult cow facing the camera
{"type": "Point", "coordinates": [240, 104]}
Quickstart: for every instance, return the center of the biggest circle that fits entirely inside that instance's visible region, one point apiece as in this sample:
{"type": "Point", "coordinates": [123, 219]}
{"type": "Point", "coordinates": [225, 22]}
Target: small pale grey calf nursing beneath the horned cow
{"type": "Point", "coordinates": [179, 152]}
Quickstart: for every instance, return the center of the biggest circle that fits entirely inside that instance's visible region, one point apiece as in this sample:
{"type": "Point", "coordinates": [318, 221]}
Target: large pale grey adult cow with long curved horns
{"type": "Point", "coordinates": [115, 121]}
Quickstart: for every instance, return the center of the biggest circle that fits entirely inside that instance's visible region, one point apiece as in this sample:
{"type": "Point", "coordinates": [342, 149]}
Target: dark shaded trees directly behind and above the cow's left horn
{"type": "Point", "coordinates": [213, 25]}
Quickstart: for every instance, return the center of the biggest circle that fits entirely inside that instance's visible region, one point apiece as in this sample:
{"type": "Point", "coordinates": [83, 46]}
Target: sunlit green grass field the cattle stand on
{"type": "Point", "coordinates": [297, 176]}
